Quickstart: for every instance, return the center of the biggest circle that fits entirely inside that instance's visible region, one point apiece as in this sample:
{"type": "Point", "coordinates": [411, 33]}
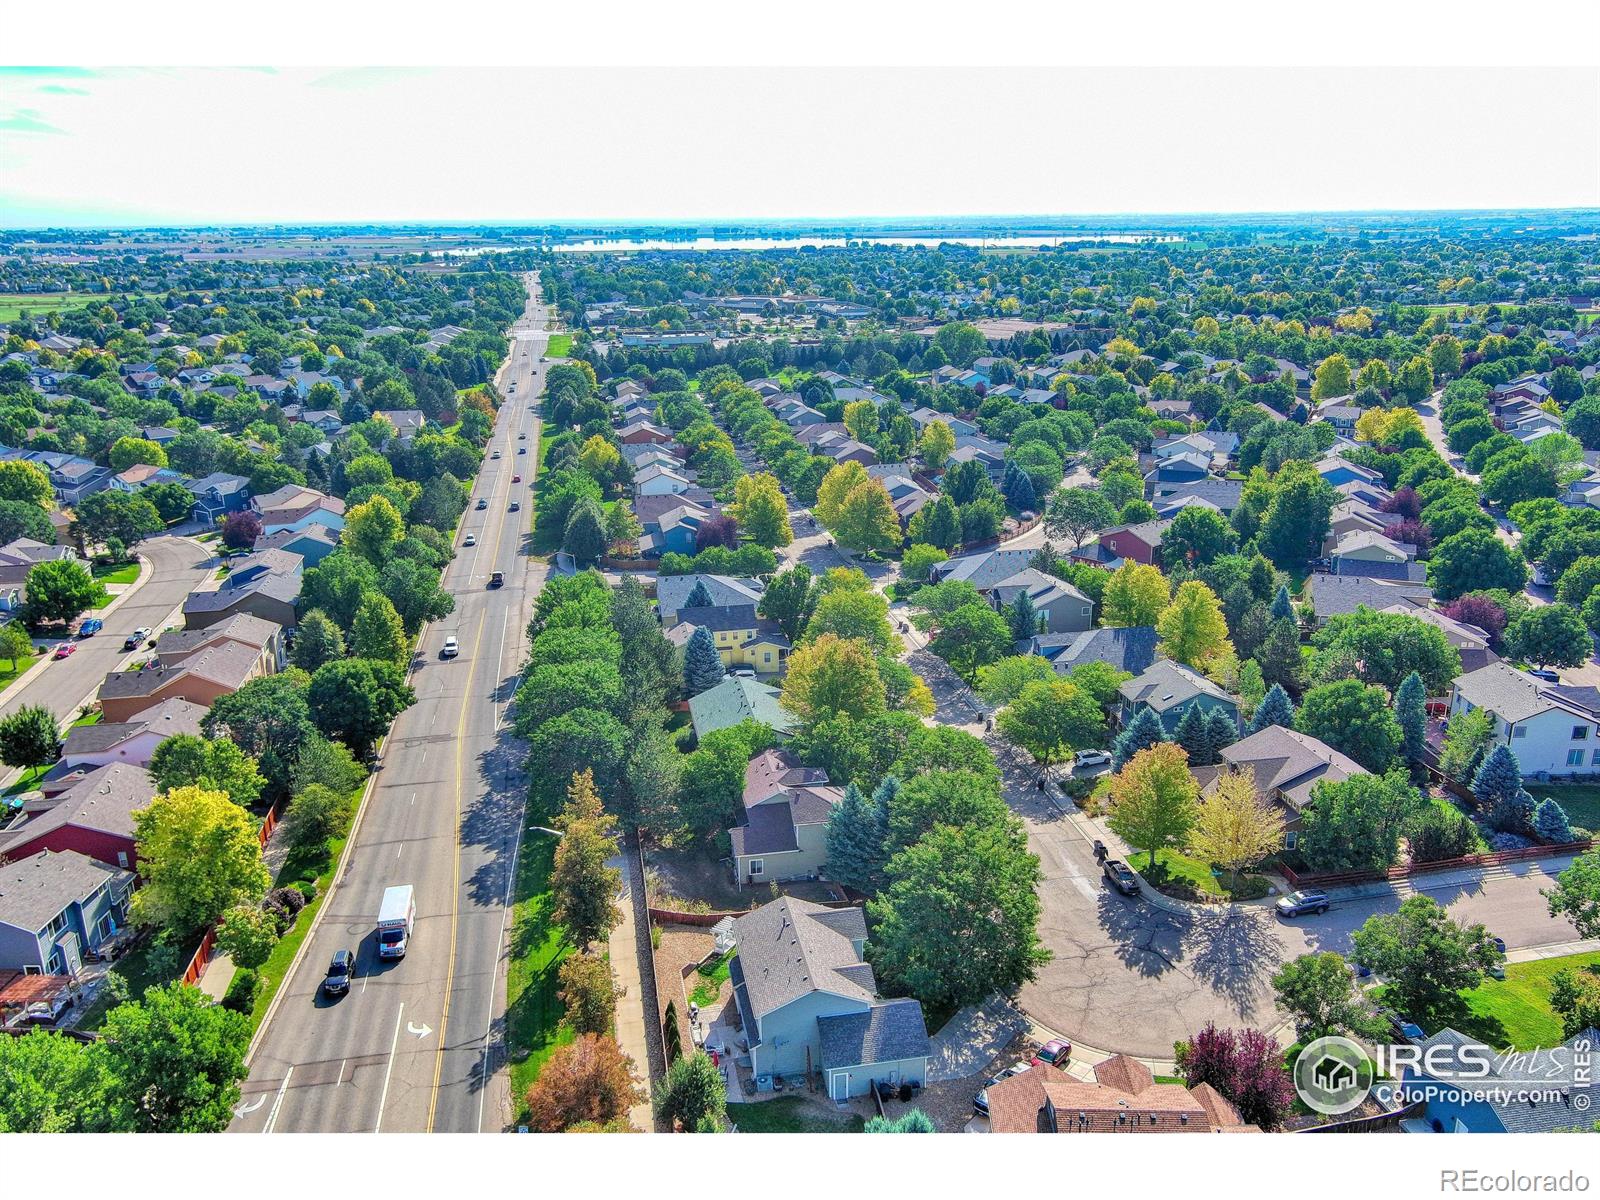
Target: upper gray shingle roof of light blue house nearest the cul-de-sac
{"type": "Point", "coordinates": [793, 948]}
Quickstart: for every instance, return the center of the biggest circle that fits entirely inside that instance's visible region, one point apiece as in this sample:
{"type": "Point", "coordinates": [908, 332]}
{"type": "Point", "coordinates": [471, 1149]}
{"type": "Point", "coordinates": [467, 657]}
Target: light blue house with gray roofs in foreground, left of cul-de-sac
{"type": "Point", "coordinates": [809, 1002]}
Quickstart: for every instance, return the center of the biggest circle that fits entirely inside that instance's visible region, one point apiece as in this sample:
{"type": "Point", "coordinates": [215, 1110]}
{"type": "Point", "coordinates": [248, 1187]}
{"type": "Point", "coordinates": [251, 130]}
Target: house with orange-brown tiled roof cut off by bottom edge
{"type": "Point", "coordinates": [1122, 1098]}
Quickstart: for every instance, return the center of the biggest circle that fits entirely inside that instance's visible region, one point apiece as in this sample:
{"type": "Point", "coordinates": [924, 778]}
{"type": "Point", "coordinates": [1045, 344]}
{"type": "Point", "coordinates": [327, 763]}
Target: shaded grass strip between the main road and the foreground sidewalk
{"type": "Point", "coordinates": [534, 1010]}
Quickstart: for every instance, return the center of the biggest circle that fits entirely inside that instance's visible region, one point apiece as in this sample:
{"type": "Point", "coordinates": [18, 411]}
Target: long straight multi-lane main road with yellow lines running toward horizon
{"type": "Point", "coordinates": [417, 1046]}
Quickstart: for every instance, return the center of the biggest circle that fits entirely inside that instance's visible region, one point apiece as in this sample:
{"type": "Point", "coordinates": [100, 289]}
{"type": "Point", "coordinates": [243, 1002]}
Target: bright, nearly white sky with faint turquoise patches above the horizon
{"type": "Point", "coordinates": [87, 146]}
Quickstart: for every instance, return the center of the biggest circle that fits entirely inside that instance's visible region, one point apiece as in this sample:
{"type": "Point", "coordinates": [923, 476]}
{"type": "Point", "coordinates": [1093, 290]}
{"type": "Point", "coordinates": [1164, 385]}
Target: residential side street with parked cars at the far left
{"type": "Point", "coordinates": [178, 566]}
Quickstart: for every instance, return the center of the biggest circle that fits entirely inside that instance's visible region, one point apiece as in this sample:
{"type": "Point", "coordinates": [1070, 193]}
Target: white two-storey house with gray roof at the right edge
{"type": "Point", "coordinates": [1553, 729]}
